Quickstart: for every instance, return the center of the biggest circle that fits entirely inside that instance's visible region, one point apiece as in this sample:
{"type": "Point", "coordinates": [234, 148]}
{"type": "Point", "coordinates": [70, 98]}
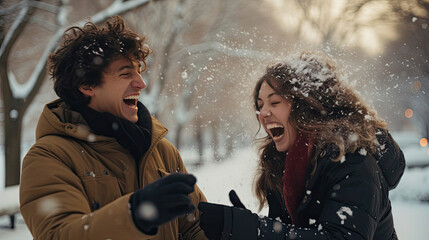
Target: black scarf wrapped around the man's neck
{"type": "Point", "coordinates": [136, 137]}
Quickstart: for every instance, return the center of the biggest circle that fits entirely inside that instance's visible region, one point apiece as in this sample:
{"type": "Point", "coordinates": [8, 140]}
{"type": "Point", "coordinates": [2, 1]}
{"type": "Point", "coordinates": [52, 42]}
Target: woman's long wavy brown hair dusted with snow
{"type": "Point", "coordinates": [323, 107]}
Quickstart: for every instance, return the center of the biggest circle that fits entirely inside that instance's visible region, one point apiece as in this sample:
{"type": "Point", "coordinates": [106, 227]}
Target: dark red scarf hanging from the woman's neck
{"type": "Point", "coordinates": [296, 164]}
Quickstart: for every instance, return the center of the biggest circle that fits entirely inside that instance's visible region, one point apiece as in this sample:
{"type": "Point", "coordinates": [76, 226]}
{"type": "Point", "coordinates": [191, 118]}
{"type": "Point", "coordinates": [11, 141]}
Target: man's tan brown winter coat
{"type": "Point", "coordinates": [70, 172]}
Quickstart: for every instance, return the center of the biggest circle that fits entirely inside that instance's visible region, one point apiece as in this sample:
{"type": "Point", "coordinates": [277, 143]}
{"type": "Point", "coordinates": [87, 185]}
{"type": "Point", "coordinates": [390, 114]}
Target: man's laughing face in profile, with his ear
{"type": "Point", "coordinates": [119, 90]}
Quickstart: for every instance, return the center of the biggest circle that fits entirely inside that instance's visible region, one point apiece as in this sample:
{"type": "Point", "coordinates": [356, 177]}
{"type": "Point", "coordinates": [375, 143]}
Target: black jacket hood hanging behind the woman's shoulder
{"type": "Point", "coordinates": [390, 159]}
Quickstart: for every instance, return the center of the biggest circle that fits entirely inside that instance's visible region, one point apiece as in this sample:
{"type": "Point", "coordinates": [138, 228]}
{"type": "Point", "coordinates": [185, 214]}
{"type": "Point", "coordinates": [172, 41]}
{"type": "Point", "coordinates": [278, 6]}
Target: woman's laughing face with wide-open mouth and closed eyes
{"type": "Point", "coordinates": [274, 112]}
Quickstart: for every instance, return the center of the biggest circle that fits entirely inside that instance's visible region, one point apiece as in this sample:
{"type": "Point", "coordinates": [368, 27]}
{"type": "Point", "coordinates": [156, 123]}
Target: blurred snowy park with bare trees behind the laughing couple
{"type": "Point", "coordinates": [207, 55]}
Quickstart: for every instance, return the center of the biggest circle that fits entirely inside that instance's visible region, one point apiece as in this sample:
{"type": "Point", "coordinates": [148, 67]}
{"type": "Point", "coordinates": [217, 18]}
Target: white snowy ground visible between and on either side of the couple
{"type": "Point", "coordinates": [216, 179]}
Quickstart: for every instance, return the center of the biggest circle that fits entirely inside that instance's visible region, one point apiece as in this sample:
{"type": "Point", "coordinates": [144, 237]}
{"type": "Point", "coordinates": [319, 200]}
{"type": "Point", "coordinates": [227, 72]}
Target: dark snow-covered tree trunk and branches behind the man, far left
{"type": "Point", "coordinates": [18, 94]}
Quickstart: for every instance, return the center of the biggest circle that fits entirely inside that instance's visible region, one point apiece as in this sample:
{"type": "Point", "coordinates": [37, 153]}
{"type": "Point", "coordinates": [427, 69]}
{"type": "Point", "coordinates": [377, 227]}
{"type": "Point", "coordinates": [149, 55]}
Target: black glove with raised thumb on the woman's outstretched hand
{"type": "Point", "coordinates": [224, 222]}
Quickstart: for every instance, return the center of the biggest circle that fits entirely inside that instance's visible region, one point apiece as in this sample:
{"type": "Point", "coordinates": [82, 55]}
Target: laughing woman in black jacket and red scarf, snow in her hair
{"type": "Point", "coordinates": [326, 165]}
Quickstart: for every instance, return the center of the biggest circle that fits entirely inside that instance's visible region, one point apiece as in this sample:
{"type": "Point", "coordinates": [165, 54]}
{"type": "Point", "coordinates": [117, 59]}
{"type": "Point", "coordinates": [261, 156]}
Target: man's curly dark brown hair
{"type": "Point", "coordinates": [86, 52]}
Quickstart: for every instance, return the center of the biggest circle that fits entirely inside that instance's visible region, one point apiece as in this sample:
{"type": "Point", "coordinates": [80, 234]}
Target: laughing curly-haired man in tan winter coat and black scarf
{"type": "Point", "coordinates": [101, 167]}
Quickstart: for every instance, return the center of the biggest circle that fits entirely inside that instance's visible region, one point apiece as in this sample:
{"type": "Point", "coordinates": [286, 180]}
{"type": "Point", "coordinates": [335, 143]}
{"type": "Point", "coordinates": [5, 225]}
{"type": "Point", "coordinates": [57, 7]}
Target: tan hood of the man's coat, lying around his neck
{"type": "Point", "coordinates": [59, 119]}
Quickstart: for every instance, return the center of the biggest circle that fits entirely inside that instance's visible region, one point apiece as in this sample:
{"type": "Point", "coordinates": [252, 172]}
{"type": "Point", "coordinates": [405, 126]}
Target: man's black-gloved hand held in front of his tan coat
{"type": "Point", "coordinates": [162, 201]}
